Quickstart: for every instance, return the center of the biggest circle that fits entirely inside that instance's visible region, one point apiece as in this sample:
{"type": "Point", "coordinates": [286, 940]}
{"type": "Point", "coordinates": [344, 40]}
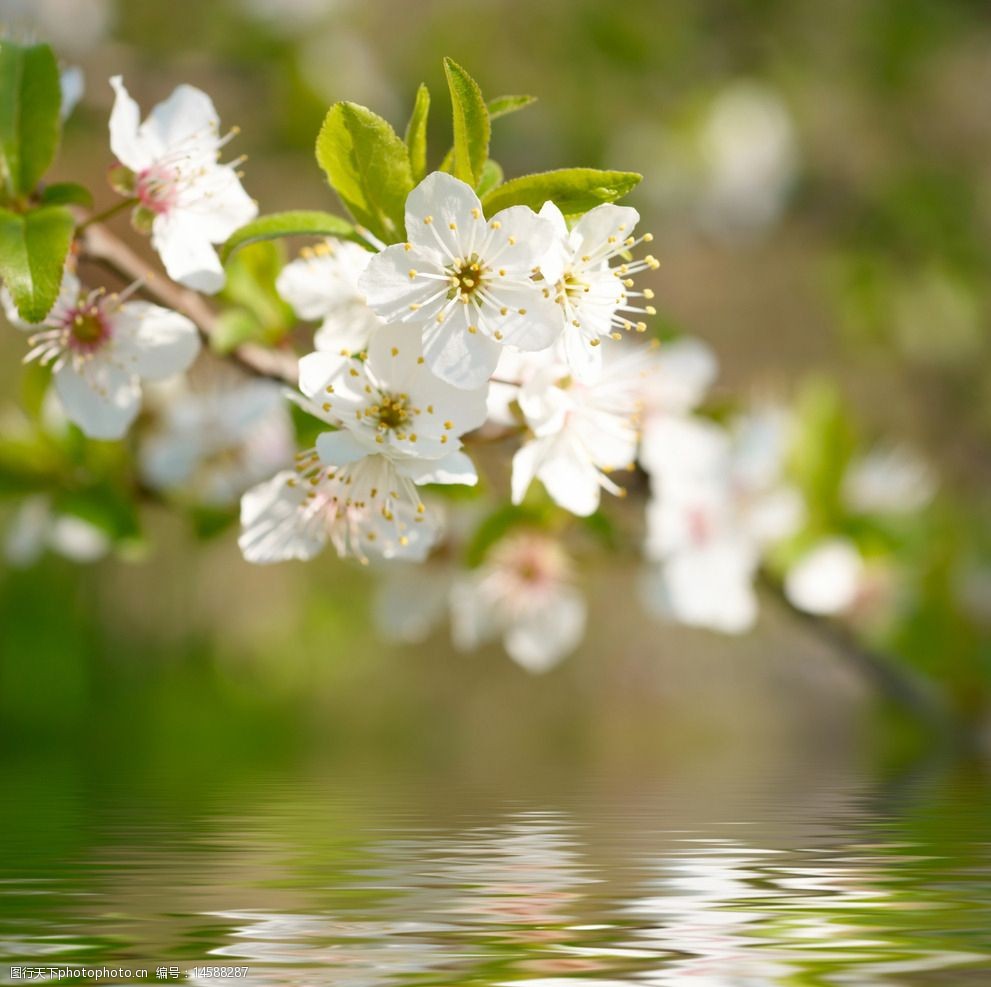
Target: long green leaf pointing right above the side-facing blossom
{"type": "Point", "coordinates": [573, 190]}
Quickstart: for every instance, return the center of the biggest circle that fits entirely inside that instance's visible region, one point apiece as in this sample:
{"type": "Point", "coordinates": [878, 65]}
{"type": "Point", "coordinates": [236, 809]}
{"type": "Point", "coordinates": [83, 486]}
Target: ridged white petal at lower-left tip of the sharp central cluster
{"type": "Point", "coordinates": [275, 525]}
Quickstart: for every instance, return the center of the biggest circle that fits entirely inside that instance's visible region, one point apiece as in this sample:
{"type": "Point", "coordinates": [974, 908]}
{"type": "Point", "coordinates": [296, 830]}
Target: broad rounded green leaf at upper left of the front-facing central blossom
{"type": "Point", "coordinates": [368, 166]}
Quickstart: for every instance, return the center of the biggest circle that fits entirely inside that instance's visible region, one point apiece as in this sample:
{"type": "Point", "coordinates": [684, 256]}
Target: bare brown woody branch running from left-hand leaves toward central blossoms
{"type": "Point", "coordinates": [102, 247]}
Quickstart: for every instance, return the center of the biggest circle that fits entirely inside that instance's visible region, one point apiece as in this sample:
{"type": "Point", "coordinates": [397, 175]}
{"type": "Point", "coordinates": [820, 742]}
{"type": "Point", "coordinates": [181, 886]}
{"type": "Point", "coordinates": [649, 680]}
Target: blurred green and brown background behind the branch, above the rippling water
{"type": "Point", "coordinates": [819, 188]}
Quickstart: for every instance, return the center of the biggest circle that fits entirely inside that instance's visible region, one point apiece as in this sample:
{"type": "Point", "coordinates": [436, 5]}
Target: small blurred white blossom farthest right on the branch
{"type": "Point", "coordinates": [889, 481]}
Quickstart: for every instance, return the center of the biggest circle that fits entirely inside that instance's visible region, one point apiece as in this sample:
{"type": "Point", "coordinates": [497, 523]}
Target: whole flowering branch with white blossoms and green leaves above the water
{"type": "Point", "coordinates": [471, 331]}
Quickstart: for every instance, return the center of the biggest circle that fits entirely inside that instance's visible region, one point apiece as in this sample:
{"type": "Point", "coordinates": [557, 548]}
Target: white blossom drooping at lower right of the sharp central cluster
{"type": "Point", "coordinates": [581, 430]}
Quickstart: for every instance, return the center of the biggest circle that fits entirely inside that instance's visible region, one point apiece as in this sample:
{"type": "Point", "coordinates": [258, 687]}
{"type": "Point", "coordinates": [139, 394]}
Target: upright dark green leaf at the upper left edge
{"type": "Point", "coordinates": [30, 98]}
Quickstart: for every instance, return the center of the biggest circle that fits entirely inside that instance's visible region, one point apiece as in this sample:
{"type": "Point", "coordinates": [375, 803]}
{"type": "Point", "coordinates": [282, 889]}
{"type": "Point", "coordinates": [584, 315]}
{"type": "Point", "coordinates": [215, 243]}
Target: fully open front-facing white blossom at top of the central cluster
{"type": "Point", "coordinates": [464, 282]}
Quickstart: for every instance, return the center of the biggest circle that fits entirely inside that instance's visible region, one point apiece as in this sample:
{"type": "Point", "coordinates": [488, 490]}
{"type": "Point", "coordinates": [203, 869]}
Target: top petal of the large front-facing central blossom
{"type": "Point", "coordinates": [454, 212]}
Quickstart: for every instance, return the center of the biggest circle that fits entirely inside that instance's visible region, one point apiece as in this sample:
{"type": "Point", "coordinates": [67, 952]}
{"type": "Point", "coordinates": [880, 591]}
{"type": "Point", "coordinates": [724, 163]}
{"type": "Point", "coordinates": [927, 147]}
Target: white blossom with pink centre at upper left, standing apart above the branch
{"type": "Point", "coordinates": [190, 200]}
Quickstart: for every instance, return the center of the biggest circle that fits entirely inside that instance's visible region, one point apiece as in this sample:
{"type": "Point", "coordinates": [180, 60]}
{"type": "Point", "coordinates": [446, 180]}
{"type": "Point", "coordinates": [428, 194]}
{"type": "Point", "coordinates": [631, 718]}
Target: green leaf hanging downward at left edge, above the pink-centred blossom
{"type": "Point", "coordinates": [33, 248]}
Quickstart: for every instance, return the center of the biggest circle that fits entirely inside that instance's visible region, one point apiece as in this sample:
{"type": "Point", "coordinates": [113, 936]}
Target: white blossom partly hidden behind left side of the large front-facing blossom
{"type": "Point", "coordinates": [323, 284]}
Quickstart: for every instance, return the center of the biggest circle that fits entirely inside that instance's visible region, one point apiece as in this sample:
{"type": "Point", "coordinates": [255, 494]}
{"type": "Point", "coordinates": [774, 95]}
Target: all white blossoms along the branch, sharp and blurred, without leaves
{"type": "Point", "coordinates": [520, 326]}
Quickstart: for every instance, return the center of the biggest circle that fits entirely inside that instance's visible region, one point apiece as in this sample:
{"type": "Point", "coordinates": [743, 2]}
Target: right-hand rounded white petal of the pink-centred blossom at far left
{"type": "Point", "coordinates": [153, 342]}
